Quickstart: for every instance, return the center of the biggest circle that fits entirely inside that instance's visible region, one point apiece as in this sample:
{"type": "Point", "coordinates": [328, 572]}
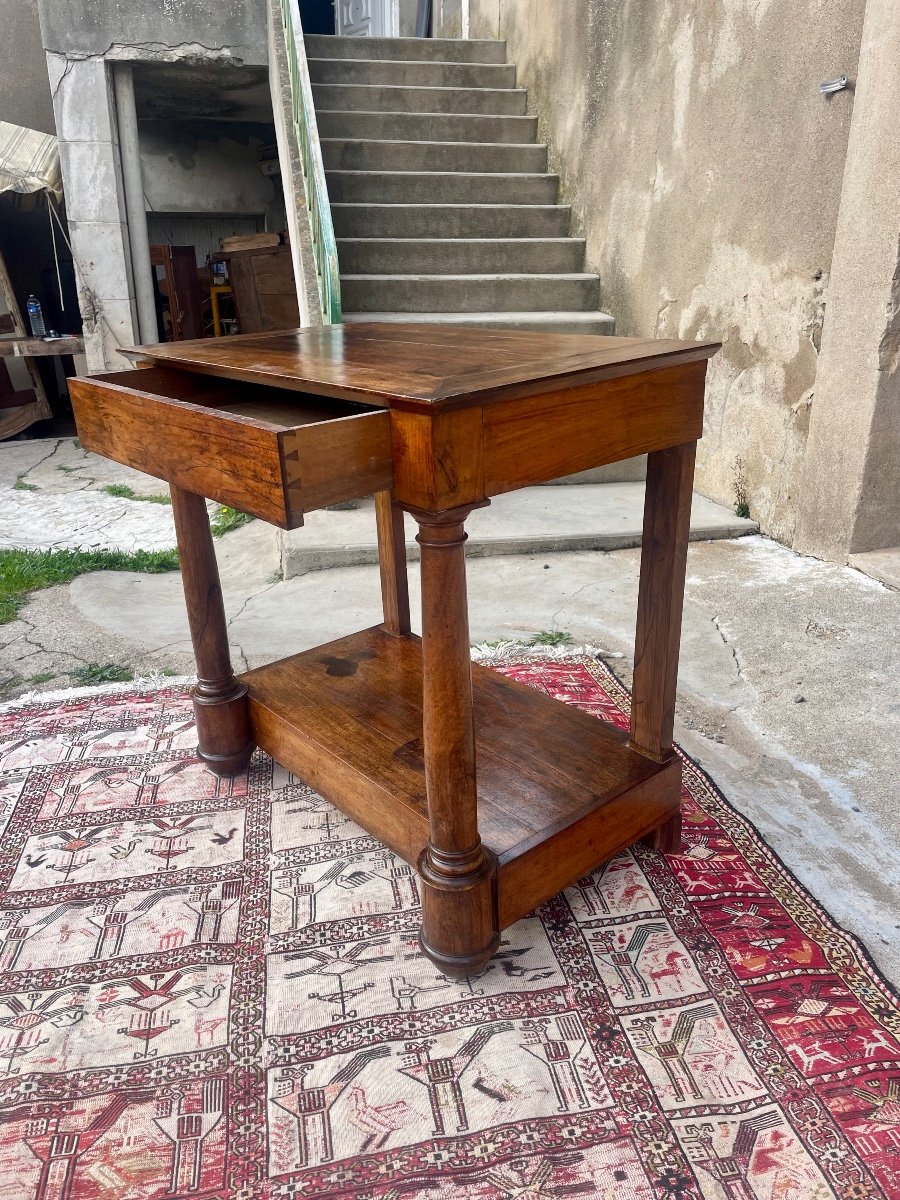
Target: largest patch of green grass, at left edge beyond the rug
{"type": "Point", "coordinates": [29, 571]}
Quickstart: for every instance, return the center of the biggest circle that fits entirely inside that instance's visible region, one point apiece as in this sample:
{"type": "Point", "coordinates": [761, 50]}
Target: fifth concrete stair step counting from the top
{"type": "Point", "coordinates": [356, 154]}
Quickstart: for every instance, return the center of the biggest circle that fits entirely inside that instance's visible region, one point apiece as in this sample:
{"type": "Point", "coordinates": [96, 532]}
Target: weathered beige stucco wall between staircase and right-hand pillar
{"type": "Point", "coordinates": [705, 170]}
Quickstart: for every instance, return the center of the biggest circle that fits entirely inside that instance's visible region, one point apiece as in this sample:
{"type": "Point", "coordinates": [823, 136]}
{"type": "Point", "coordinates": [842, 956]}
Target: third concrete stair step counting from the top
{"type": "Point", "coordinates": [397, 99]}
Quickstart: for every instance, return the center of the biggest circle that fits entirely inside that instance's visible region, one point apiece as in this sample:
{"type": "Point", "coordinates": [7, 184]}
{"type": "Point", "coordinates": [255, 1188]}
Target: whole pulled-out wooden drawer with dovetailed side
{"type": "Point", "coordinates": [269, 452]}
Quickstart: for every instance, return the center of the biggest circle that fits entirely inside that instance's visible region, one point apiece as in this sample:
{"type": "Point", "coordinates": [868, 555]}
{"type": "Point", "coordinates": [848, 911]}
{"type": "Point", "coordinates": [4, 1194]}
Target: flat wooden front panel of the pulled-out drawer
{"type": "Point", "coordinates": [226, 458]}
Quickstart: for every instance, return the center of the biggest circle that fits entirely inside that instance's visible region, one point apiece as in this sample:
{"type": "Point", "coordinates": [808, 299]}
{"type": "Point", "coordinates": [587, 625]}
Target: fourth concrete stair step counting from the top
{"type": "Point", "coordinates": [427, 127]}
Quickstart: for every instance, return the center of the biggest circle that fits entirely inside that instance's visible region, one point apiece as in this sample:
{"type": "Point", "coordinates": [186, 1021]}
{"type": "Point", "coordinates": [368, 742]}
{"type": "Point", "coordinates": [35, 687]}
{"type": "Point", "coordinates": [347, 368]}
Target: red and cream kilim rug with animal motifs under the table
{"type": "Point", "coordinates": [214, 991]}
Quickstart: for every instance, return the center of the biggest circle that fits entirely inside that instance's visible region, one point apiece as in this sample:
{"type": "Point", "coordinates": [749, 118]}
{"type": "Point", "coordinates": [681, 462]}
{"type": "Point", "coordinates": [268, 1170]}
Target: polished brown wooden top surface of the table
{"type": "Point", "coordinates": [423, 367]}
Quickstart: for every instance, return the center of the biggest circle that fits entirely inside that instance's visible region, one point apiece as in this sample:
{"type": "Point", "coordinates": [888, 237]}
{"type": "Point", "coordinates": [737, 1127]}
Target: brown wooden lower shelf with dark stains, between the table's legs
{"type": "Point", "coordinates": [559, 791]}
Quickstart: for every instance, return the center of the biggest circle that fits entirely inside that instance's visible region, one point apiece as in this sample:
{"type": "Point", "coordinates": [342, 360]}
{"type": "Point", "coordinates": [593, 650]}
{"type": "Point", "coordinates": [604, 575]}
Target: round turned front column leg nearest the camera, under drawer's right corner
{"type": "Point", "coordinates": [459, 874]}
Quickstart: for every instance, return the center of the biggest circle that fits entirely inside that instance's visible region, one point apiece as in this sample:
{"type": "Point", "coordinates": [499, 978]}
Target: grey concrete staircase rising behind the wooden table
{"type": "Point", "coordinates": [441, 197]}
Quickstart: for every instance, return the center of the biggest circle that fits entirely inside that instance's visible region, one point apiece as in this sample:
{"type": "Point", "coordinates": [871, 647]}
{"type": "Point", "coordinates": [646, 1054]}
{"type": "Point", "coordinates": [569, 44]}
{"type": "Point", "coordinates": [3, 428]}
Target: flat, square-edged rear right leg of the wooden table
{"type": "Point", "coordinates": [664, 555]}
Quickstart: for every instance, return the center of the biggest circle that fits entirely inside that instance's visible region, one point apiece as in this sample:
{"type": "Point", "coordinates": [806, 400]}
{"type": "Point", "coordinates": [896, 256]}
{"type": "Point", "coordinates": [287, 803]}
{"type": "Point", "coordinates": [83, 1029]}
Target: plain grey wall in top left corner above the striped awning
{"type": "Point", "coordinates": [25, 88]}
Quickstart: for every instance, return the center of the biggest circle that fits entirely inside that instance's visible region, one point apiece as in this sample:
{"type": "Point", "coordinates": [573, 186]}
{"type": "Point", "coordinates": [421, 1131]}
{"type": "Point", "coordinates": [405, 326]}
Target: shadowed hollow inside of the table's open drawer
{"type": "Point", "coordinates": [275, 409]}
